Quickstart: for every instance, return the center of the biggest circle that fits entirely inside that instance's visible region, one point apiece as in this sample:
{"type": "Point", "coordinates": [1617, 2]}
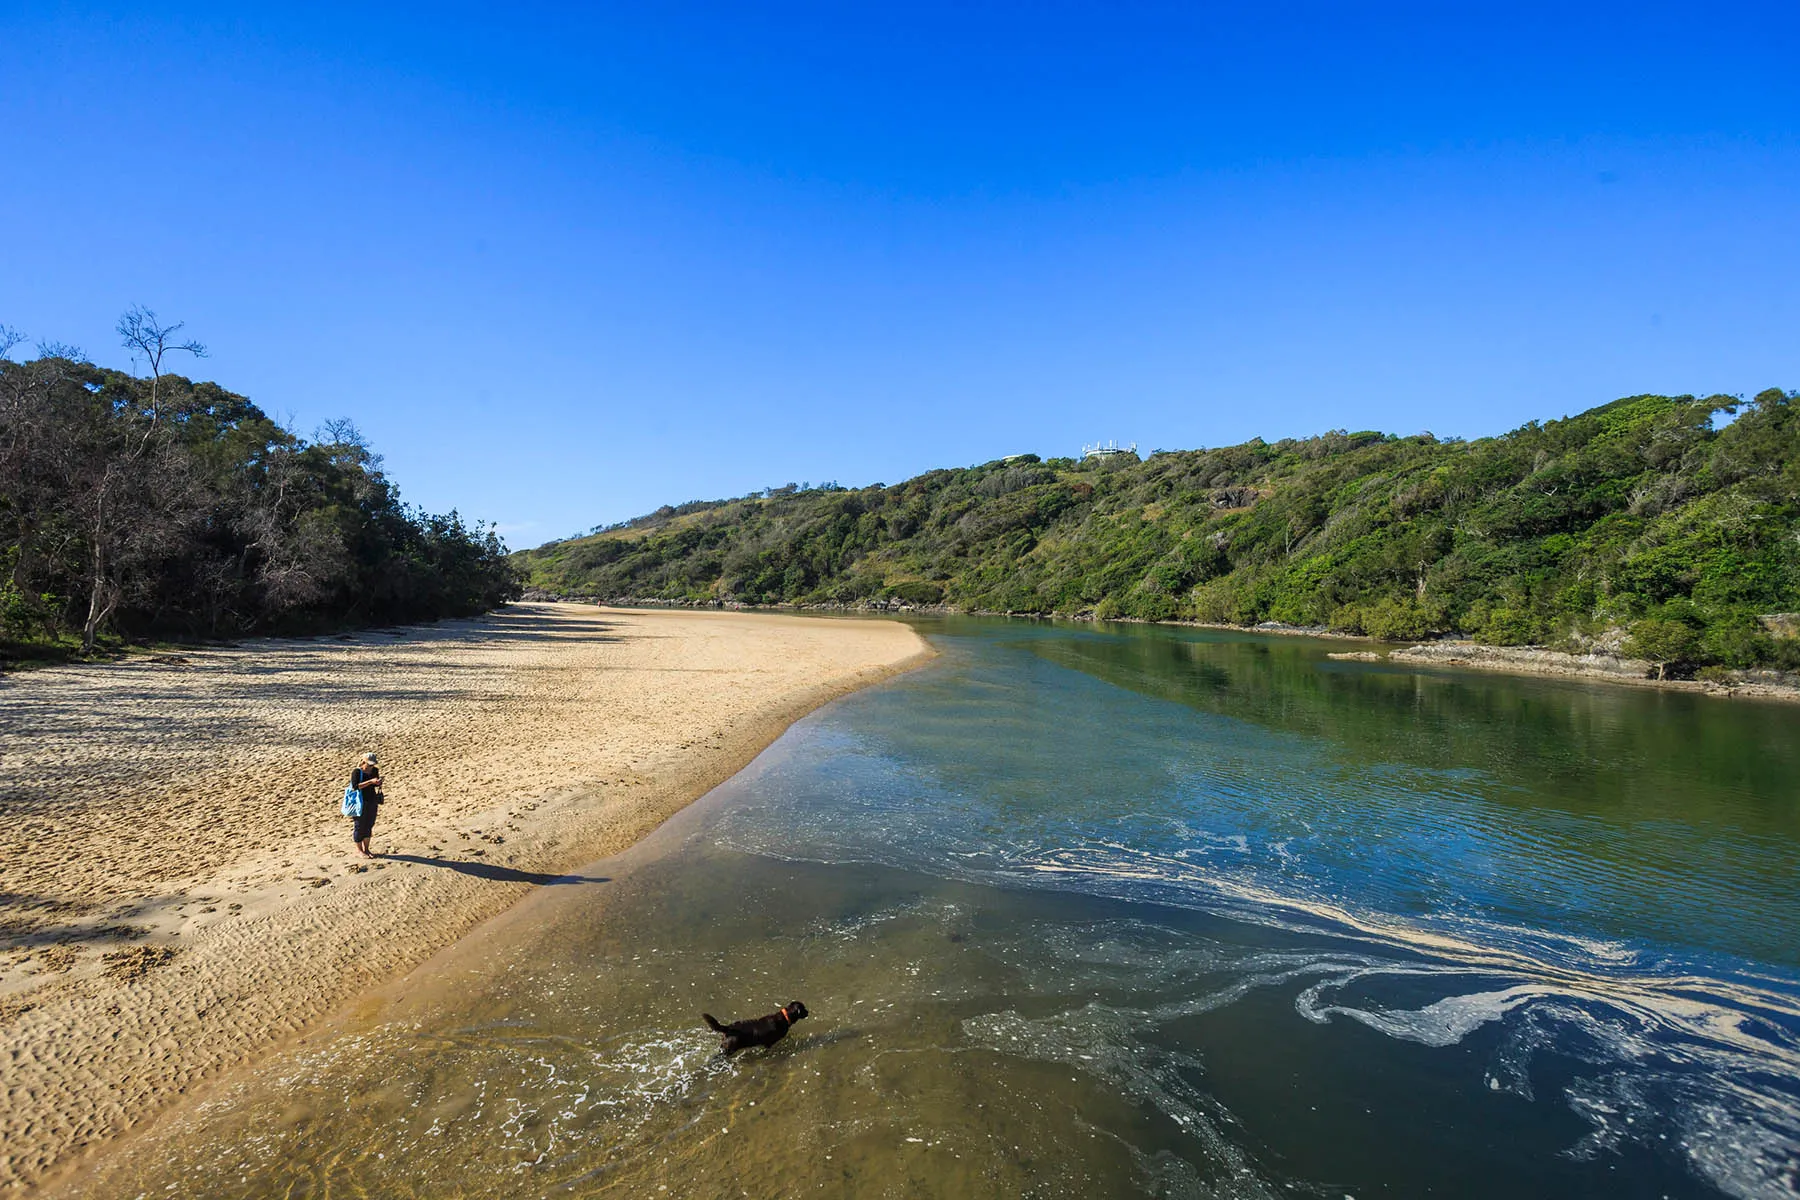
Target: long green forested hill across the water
{"type": "Point", "coordinates": [1635, 521]}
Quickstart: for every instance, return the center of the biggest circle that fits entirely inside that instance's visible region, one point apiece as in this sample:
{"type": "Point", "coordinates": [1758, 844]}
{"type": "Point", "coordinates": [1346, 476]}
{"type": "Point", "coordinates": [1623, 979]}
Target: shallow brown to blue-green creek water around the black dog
{"type": "Point", "coordinates": [1117, 913]}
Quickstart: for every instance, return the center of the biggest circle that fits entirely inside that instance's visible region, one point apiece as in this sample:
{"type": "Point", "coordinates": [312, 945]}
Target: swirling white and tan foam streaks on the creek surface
{"type": "Point", "coordinates": [1705, 1059]}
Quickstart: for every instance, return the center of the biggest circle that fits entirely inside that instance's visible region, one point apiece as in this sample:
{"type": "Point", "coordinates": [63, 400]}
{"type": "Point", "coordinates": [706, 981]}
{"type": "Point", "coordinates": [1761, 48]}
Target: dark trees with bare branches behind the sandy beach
{"type": "Point", "coordinates": [166, 508]}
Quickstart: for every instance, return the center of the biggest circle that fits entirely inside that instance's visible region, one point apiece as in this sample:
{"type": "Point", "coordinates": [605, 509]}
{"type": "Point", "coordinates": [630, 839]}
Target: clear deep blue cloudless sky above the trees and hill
{"type": "Point", "coordinates": [568, 265]}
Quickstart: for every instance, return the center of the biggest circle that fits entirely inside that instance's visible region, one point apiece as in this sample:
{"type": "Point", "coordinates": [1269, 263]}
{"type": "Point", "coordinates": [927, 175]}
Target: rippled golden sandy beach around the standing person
{"type": "Point", "coordinates": [179, 893]}
